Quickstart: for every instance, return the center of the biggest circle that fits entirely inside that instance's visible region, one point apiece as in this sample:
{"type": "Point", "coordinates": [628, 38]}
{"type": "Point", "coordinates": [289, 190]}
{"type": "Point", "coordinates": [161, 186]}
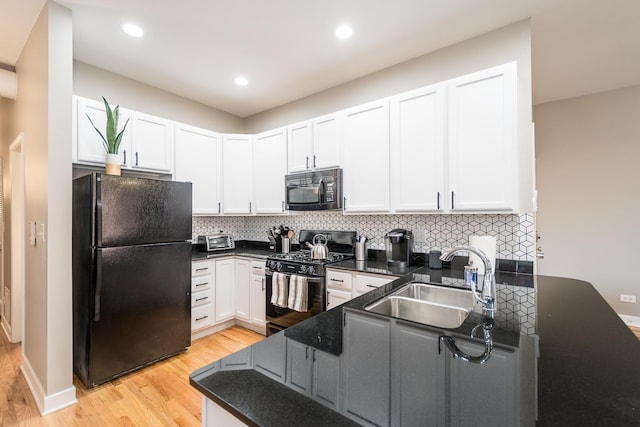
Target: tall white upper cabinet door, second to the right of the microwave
{"type": "Point", "coordinates": [417, 150]}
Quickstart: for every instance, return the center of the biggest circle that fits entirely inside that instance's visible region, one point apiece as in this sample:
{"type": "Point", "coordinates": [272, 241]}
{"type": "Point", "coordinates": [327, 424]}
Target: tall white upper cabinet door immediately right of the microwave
{"type": "Point", "coordinates": [366, 157]}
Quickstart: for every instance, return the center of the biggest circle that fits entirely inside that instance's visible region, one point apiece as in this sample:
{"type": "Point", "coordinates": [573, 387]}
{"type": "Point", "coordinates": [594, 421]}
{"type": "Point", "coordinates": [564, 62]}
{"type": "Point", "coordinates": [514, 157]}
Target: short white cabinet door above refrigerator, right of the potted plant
{"type": "Point", "coordinates": [151, 143]}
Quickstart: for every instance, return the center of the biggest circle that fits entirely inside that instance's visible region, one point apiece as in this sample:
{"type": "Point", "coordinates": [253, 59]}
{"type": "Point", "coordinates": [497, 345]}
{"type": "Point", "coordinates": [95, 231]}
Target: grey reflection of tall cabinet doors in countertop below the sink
{"type": "Point", "coordinates": [428, 386]}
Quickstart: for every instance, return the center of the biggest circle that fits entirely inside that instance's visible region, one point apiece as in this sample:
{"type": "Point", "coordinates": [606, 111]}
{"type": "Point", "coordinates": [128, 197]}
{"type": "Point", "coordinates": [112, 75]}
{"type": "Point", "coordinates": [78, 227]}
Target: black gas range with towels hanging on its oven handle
{"type": "Point", "coordinates": [341, 247]}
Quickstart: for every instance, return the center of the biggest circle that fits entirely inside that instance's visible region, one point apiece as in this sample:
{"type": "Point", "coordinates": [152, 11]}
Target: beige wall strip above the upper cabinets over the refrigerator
{"type": "Point", "coordinates": [94, 83]}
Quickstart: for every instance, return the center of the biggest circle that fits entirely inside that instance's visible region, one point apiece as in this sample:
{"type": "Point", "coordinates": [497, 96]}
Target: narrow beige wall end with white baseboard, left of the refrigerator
{"type": "Point", "coordinates": [43, 111]}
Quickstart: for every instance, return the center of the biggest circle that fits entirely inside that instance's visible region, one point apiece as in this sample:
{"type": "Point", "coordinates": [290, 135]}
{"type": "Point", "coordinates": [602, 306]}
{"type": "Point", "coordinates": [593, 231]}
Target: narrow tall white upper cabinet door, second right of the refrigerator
{"type": "Point", "coordinates": [237, 173]}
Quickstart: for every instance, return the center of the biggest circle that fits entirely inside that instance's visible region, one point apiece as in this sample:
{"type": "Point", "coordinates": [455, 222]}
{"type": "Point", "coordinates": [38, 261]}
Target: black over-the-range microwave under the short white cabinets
{"type": "Point", "coordinates": [314, 191]}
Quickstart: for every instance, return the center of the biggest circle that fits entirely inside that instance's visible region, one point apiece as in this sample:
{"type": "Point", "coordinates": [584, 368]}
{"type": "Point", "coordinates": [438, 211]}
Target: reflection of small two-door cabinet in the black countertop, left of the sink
{"type": "Point", "coordinates": [314, 373]}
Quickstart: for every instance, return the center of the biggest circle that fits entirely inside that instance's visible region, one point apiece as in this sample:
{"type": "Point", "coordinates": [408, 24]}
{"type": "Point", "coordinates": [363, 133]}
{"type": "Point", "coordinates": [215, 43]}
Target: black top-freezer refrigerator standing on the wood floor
{"type": "Point", "coordinates": [131, 274]}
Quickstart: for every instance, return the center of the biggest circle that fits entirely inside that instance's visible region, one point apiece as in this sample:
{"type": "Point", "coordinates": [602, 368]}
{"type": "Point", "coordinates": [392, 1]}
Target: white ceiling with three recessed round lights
{"type": "Point", "coordinates": [286, 48]}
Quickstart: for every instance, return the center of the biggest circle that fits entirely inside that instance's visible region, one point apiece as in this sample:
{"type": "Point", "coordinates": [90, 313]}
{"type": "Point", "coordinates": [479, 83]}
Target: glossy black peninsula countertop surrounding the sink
{"type": "Point", "coordinates": [556, 366]}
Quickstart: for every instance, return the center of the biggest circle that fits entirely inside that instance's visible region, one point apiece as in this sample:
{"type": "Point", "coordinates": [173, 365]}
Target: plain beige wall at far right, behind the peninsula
{"type": "Point", "coordinates": [588, 169]}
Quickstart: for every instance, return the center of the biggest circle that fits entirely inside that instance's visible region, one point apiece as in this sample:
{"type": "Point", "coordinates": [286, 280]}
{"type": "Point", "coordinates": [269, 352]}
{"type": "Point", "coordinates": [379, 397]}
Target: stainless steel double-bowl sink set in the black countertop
{"type": "Point", "coordinates": [425, 303]}
